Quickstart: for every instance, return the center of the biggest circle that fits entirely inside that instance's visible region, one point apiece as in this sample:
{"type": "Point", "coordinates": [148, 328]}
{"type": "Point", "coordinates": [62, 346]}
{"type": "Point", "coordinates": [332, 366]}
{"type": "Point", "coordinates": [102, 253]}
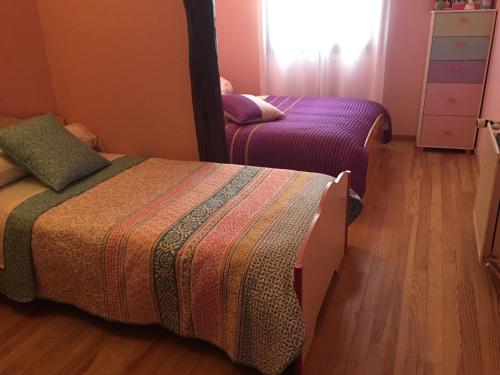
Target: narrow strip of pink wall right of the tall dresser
{"type": "Point", "coordinates": [491, 104]}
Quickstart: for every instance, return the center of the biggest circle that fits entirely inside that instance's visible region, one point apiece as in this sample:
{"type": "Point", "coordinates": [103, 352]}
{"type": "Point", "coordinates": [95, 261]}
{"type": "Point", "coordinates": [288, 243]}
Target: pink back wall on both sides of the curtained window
{"type": "Point", "coordinates": [238, 29]}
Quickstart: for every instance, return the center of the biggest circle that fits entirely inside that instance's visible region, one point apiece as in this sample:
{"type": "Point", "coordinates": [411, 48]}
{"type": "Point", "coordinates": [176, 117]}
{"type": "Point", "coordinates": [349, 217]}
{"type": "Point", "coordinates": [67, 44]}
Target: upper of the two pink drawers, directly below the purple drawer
{"type": "Point", "coordinates": [454, 99]}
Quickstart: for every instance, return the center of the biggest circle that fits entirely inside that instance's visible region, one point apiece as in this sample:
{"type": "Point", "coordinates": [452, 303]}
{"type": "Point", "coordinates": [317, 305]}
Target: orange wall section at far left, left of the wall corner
{"type": "Point", "coordinates": [25, 81]}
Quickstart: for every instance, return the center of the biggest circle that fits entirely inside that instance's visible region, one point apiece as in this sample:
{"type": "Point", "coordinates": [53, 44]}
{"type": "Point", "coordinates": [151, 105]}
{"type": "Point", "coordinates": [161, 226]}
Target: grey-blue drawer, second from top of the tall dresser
{"type": "Point", "coordinates": [460, 48]}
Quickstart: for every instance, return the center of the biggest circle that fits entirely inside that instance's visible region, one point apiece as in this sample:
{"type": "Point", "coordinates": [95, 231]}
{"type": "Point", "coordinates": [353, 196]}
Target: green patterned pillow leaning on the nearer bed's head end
{"type": "Point", "coordinates": [50, 152]}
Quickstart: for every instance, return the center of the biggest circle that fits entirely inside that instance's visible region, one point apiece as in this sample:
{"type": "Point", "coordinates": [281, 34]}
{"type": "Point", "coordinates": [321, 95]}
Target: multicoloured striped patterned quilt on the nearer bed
{"type": "Point", "coordinates": [205, 250]}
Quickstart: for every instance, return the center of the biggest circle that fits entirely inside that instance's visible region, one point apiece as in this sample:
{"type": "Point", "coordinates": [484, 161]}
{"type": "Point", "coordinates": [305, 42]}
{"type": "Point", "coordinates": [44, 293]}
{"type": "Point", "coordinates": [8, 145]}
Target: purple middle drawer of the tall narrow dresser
{"type": "Point", "coordinates": [454, 71]}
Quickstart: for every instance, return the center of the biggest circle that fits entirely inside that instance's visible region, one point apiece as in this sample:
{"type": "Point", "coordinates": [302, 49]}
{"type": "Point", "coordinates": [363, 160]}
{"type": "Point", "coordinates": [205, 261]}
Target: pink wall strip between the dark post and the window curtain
{"type": "Point", "coordinates": [238, 28]}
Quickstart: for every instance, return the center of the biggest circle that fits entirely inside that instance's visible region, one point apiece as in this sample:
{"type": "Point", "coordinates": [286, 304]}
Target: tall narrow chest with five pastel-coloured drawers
{"type": "Point", "coordinates": [455, 74]}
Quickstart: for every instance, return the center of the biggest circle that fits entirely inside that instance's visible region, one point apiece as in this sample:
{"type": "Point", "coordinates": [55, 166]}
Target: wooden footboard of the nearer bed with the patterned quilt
{"type": "Point", "coordinates": [320, 256]}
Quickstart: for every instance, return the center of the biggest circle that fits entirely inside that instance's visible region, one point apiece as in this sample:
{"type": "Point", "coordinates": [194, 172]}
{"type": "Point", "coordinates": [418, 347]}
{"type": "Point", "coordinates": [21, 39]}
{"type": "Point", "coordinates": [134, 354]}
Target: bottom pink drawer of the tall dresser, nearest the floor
{"type": "Point", "coordinates": [448, 132]}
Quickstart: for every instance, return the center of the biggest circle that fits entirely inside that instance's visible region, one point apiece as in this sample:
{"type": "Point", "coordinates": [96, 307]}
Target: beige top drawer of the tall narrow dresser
{"type": "Point", "coordinates": [475, 23]}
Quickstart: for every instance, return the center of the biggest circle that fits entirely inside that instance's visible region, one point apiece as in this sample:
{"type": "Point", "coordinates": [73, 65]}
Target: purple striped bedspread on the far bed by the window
{"type": "Point", "coordinates": [323, 135]}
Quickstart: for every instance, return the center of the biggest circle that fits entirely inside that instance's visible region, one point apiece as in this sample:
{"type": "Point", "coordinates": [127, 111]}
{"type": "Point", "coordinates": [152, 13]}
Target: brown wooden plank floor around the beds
{"type": "Point", "coordinates": [410, 298]}
